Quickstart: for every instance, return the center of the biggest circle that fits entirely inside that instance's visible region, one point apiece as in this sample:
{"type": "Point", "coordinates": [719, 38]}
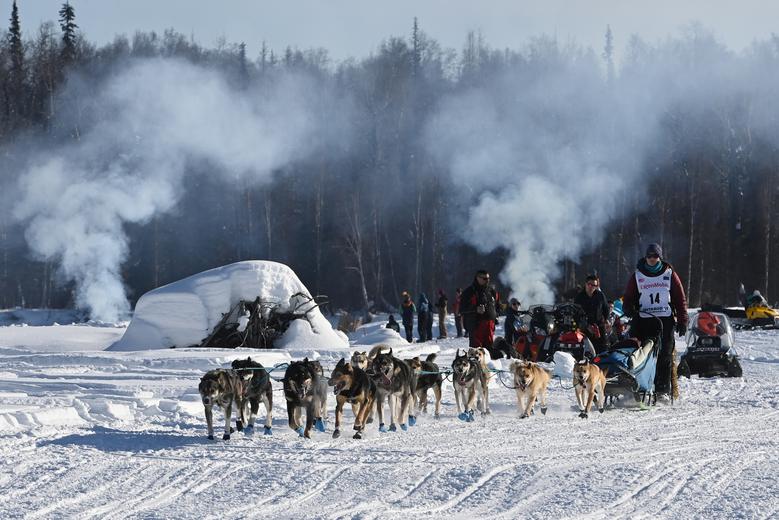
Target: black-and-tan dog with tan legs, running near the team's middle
{"type": "Point", "coordinates": [352, 385]}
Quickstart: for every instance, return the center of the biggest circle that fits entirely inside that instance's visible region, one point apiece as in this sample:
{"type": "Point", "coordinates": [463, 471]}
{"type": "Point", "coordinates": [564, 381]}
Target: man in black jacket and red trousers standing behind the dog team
{"type": "Point", "coordinates": [478, 305]}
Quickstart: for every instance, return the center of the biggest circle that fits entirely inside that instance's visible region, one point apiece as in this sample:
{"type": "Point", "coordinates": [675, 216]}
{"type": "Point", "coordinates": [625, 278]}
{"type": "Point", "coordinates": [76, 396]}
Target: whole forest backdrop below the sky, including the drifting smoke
{"type": "Point", "coordinates": [133, 164]}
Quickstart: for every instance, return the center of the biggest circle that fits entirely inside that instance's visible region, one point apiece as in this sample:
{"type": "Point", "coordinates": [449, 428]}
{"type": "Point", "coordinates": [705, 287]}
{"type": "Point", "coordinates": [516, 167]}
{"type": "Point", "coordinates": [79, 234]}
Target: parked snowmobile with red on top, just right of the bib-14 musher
{"type": "Point", "coordinates": [710, 351]}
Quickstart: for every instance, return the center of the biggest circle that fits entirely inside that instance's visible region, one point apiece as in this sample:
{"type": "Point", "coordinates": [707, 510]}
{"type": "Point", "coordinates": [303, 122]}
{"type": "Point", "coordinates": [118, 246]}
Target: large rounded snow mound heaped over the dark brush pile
{"type": "Point", "coordinates": [183, 313]}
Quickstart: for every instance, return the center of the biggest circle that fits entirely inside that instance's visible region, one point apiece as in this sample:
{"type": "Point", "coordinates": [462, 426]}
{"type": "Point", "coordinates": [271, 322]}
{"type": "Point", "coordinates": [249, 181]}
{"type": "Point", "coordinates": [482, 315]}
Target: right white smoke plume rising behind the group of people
{"type": "Point", "coordinates": [542, 153]}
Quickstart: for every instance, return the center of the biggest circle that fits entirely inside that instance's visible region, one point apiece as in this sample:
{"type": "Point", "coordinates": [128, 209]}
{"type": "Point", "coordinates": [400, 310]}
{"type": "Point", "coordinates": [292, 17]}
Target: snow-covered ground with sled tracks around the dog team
{"type": "Point", "coordinates": [90, 433]}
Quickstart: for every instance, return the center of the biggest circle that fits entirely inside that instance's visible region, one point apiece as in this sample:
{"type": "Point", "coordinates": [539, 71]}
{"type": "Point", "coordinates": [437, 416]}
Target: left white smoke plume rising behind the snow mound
{"type": "Point", "coordinates": [159, 117]}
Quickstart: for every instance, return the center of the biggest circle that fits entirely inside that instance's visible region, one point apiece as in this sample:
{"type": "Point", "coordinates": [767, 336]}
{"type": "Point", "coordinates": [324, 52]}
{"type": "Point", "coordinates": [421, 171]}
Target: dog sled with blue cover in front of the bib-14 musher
{"type": "Point", "coordinates": [631, 367]}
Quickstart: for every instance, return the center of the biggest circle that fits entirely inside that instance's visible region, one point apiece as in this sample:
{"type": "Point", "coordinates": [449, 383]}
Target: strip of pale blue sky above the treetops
{"type": "Point", "coordinates": [356, 27]}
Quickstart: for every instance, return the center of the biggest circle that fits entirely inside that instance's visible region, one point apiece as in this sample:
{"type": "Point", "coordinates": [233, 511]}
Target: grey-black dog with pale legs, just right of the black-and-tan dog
{"type": "Point", "coordinates": [393, 380]}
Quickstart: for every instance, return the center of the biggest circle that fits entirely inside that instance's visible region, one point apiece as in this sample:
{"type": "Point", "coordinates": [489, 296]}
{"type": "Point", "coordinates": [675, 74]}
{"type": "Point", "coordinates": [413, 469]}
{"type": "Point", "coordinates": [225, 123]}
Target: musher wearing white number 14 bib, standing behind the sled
{"type": "Point", "coordinates": [656, 291]}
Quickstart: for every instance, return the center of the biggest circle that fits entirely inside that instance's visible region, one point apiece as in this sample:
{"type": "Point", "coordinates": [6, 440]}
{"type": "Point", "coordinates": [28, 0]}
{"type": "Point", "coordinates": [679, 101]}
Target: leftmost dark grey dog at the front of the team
{"type": "Point", "coordinates": [221, 388]}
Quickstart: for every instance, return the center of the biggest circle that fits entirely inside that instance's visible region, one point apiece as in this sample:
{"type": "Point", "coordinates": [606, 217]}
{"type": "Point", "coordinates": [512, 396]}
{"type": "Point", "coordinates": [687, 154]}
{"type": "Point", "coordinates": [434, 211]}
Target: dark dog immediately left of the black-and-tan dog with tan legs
{"type": "Point", "coordinates": [305, 387]}
